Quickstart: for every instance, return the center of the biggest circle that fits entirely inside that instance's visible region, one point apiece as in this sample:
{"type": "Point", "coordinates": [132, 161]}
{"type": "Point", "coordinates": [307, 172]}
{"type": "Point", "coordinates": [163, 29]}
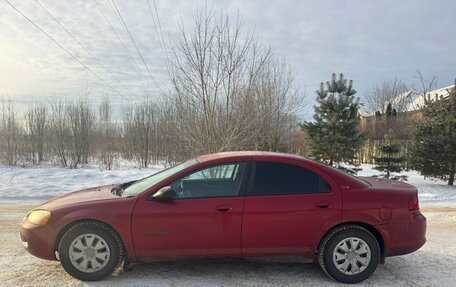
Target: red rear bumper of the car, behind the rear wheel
{"type": "Point", "coordinates": [404, 238]}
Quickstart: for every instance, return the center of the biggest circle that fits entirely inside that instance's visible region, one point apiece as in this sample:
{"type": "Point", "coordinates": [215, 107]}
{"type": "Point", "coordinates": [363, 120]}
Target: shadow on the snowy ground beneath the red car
{"type": "Point", "coordinates": [217, 272]}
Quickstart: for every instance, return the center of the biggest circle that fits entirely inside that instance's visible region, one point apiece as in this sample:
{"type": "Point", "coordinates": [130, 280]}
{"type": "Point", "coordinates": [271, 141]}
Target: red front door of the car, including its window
{"type": "Point", "coordinates": [203, 221]}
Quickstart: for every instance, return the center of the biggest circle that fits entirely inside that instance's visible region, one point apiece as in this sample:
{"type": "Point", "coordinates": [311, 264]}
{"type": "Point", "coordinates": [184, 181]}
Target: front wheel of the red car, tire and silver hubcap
{"type": "Point", "coordinates": [90, 251]}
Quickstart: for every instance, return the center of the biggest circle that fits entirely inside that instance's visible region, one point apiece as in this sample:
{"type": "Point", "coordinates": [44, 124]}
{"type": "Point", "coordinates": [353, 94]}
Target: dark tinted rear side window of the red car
{"type": "Point", "coordinates": [272, 178]}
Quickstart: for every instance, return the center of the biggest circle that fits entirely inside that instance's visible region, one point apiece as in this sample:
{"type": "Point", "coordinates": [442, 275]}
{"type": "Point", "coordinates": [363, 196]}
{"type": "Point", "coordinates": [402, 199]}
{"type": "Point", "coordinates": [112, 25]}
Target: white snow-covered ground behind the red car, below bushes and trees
{"type": "Point", "coordinates": [36, 185]}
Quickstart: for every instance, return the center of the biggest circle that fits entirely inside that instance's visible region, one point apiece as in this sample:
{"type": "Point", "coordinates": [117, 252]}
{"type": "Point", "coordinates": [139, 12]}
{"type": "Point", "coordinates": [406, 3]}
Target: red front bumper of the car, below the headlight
{"type": "Point", "coordinates": [37, 240]}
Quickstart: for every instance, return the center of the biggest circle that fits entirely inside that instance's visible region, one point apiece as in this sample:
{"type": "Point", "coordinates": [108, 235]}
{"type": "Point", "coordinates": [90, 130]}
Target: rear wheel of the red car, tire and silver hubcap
{"type": "Point", "coordinates": [346, 264]}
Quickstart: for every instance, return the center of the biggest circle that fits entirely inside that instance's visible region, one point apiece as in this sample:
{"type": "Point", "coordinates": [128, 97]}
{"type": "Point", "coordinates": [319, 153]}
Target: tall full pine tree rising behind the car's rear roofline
{"type": "Point", "coordinates": [334, 136]}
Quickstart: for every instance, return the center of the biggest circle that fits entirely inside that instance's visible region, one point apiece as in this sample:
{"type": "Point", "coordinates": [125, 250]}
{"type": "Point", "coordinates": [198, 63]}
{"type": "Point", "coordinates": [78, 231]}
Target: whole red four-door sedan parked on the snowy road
{"type": "Point", "coordinates": [236, 204]}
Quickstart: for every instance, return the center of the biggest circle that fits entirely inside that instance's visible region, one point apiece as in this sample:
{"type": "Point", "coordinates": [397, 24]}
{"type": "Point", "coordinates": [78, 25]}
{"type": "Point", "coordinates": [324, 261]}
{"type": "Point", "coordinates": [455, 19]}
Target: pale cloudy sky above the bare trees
{"type": "Point", "coordinates": [369, 41]}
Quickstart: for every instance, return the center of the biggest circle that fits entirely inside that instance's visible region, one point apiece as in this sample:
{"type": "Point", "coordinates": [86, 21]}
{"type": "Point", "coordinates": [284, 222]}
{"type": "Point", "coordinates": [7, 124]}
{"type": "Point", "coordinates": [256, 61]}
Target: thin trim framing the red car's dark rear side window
{"type": "Point", "coordinates": [252, 176]}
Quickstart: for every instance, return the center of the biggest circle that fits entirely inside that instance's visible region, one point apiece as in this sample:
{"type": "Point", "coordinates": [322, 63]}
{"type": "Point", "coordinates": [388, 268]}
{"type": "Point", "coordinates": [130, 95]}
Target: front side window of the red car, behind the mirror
{"type": "Point", "coordinates": [215, 181]}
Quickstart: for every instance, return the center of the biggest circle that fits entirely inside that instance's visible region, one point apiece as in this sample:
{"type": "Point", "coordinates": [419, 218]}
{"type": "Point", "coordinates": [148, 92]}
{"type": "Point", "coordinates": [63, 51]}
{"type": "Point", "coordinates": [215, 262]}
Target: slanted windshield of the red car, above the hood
{"type": "Point", "coordinates": [145, 183]}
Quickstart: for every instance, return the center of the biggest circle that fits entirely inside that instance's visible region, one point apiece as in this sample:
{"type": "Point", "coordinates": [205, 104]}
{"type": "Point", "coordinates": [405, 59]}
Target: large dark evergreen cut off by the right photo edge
{"type": "Point", "coordinates": [434, 147]}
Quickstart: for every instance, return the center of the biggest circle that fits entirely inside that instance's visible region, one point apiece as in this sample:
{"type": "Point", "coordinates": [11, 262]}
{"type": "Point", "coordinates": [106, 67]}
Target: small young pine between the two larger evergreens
{"type": "Point", "coordinates": [389, 161]}
